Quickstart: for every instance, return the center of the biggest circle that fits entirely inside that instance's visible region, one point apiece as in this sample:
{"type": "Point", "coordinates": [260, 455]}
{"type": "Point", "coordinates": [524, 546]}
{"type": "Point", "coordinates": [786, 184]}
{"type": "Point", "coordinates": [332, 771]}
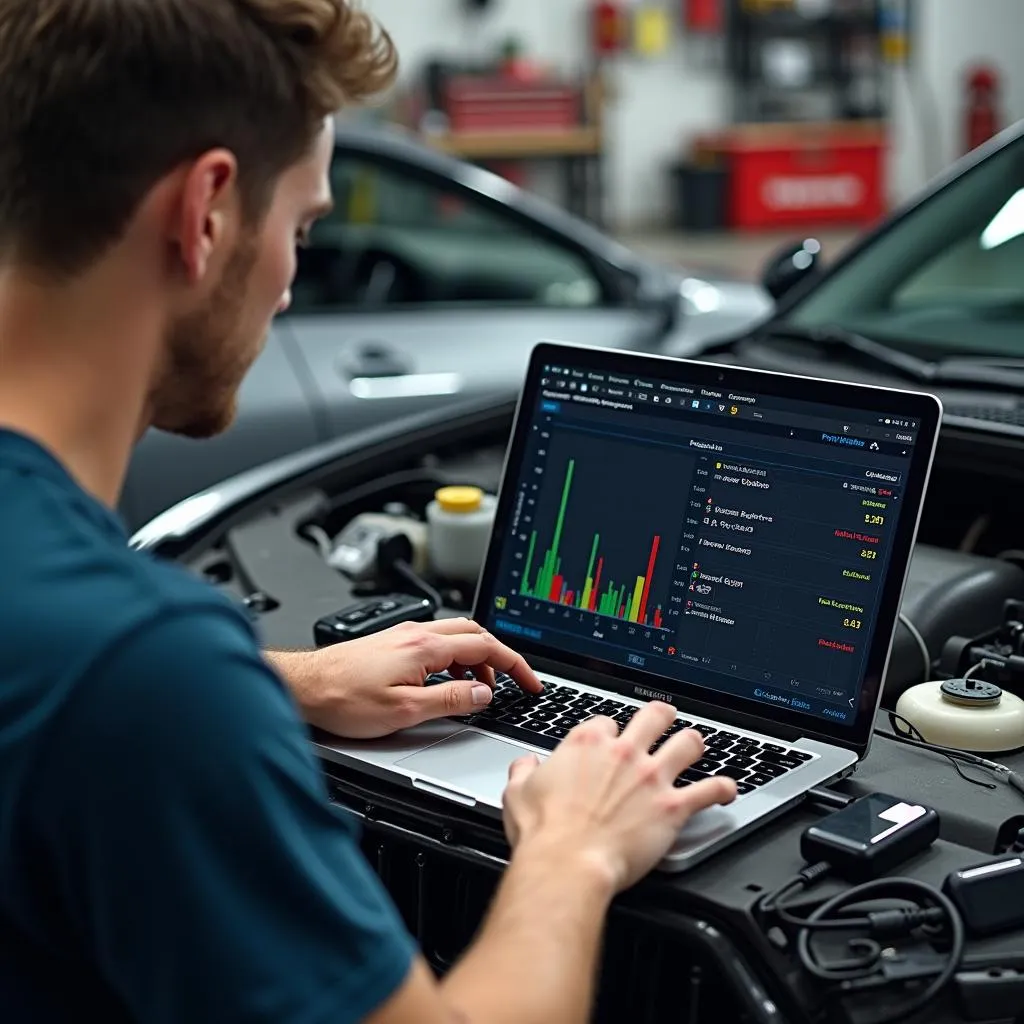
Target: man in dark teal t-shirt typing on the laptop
{"type": "Point", "coordinates": [167, 854]}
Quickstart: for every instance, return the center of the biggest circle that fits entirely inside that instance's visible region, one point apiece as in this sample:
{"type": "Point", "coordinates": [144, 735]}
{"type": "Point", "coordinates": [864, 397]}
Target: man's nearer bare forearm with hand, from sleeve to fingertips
{"type": "Point", "coordinates": [586, 825]}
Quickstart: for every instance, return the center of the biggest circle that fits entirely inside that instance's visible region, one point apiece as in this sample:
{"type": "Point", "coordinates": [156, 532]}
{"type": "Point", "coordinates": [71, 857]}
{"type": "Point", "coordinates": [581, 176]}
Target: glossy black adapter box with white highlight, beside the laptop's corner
{"type": "Point", "coordinates": [870, 837]}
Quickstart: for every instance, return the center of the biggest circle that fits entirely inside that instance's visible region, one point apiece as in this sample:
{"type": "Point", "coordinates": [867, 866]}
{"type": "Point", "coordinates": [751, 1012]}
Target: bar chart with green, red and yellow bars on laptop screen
{"type": "Point", "coordinates": [604, 534]}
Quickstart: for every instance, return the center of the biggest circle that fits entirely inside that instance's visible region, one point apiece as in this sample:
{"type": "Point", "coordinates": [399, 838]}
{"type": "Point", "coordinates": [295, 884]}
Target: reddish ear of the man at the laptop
{"type": "Point", "coordinates": [203, 219]}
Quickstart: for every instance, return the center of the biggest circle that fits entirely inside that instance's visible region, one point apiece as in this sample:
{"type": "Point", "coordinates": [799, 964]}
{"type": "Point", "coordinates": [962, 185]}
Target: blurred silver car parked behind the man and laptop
{"type": "Point", "coordinates": [432, 280]}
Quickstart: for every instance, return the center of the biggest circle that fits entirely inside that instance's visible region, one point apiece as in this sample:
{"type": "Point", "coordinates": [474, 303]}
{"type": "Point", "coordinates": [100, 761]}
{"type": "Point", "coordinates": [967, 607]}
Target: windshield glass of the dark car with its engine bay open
{"type": "Point", "coordinates": [948, 280]}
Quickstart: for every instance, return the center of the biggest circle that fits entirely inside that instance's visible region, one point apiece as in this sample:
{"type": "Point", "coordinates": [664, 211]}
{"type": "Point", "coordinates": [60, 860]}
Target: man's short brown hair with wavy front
{"type": "Point", "coordinates": [102, 99]}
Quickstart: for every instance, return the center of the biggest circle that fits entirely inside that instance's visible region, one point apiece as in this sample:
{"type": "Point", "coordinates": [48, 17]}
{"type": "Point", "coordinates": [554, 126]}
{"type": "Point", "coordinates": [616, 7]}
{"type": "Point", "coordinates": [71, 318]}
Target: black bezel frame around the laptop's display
{"type": "Point", "coordinates": [624, 679]}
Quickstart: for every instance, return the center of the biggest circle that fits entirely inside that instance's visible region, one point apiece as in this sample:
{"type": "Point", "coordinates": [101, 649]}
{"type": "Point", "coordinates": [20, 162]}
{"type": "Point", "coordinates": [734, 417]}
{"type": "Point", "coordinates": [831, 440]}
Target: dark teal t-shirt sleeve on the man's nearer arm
{"type": "Point", "coordinates": [200, 863]}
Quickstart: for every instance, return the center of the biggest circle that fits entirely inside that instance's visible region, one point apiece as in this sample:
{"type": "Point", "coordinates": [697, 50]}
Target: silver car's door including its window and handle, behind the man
{"type": "Point", "coordinates": [417, 289]}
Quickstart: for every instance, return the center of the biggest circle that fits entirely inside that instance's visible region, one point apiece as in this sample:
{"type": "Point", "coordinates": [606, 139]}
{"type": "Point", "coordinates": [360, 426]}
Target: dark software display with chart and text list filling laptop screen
{"type": "Point", "coordinates": [736, 541]}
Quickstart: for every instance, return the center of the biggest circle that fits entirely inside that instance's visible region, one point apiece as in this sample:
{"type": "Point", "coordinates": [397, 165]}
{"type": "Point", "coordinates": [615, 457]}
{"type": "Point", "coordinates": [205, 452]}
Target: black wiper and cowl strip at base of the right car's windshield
{"type": "Point", "coordinates": [857, 350]}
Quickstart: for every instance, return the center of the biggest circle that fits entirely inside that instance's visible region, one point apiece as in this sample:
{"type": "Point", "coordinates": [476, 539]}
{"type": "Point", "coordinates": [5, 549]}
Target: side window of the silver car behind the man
{"type": "Point", "coordinates": [395, 239]}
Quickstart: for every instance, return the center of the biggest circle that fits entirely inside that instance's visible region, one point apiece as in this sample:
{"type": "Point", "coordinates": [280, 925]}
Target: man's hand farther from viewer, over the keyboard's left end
{"type": "Point", "coordinates": [374, 687]}
